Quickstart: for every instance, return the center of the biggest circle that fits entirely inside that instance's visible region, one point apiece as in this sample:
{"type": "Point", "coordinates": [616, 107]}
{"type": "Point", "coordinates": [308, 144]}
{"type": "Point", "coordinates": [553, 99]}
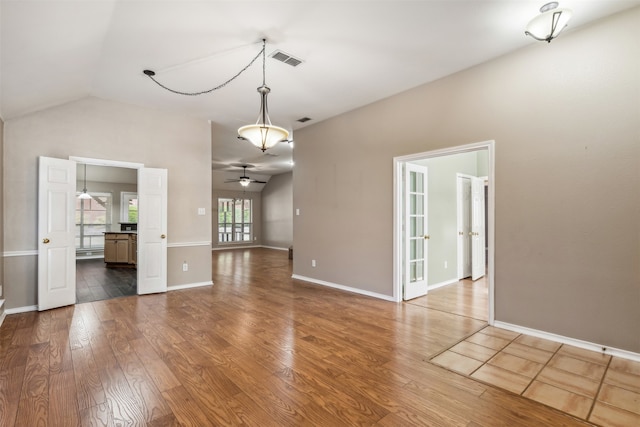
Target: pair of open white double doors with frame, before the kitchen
{"type": "Point", "coordinates": [57, 229]}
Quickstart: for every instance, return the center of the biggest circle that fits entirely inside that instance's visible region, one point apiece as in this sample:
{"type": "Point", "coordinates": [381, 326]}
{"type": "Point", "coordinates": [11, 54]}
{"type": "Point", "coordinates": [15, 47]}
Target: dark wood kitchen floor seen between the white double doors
{"type": "Point", "coordinates": [95, 282]}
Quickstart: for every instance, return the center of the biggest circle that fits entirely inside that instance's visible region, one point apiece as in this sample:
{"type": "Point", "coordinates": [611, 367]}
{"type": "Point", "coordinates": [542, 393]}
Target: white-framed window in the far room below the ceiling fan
{"type": "Point", "coordinates": [234, 220]}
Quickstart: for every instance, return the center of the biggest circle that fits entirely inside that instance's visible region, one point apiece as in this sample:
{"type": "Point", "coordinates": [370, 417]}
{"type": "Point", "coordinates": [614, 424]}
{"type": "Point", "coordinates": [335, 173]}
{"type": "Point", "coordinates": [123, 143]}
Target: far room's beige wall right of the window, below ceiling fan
{"type": "Point", "coordinates": [277, 211]}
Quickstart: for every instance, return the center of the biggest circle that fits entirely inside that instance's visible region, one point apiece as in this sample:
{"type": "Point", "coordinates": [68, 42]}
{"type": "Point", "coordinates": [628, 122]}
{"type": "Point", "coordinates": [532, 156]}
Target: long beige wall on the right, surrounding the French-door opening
{"type": "Point", "coordinates": [565, 117]}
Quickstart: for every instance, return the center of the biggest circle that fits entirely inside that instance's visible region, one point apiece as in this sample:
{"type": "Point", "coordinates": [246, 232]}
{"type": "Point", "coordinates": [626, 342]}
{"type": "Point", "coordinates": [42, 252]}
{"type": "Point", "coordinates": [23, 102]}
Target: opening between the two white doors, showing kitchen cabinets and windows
{"type": "Point", "coordinates": [109, 207]}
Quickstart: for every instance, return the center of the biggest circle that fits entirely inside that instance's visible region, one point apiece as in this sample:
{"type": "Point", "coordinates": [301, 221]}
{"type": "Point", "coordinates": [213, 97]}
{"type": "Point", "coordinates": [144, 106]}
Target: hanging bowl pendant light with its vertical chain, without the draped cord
{"type": "Point", "coordinates": [263, 134]}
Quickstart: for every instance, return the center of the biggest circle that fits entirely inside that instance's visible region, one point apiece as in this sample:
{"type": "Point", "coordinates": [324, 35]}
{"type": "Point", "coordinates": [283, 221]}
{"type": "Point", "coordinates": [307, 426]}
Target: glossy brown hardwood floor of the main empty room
{"type": "Point", "coordinates": [257, 348]}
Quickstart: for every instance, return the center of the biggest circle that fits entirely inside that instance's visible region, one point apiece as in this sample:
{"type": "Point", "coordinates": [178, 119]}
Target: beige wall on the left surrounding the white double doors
{"type": "Point", "coordinates": [102, 129]}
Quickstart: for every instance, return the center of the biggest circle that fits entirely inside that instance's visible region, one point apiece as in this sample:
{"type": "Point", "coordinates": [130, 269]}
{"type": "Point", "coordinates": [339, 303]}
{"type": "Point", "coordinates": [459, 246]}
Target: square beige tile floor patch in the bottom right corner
{"type": "Point", "coordinates": [601, 389]}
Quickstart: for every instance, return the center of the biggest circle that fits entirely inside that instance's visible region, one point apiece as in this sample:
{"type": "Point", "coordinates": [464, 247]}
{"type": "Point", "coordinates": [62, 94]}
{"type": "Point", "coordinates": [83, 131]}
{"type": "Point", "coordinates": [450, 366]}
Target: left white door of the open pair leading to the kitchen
{"type": "Point", "coordinates": [56, 233]}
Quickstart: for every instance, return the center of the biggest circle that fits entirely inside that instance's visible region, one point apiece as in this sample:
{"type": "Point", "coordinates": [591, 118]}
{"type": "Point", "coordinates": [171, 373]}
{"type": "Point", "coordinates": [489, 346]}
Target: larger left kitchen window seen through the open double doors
{"type": "Point", "coordinates": [93, 218]}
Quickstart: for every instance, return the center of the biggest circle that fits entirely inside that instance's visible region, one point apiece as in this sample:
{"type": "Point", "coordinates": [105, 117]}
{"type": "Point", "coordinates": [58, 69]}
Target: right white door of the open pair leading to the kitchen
{"type": "Point", "coordinates": [152, 230]}
